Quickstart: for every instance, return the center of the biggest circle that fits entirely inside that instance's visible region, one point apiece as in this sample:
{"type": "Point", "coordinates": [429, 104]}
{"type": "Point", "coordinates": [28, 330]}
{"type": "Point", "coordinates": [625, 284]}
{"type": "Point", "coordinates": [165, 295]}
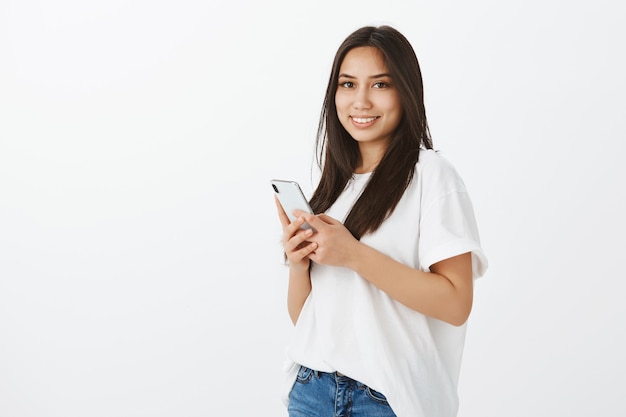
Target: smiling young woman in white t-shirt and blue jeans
{"type": "Point", "coordinates": [380, 291]}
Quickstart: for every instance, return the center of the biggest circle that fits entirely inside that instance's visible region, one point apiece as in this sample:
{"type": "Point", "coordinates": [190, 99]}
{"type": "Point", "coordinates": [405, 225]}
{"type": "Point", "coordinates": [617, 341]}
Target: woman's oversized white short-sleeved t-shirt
{"type": "Point", "coordinates": [351, 326]}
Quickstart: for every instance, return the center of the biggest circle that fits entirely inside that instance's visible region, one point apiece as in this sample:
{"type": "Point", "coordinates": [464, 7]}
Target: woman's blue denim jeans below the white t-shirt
{"type": "Point", "coordinates": [321, 394]}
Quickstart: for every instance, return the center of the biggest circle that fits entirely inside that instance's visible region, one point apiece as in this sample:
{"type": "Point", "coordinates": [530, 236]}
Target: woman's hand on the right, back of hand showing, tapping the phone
{"type": "Point", "coordinates": [335, 243]}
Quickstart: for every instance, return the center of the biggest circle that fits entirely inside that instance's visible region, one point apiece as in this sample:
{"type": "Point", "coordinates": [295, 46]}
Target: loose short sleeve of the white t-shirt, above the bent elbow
{"type": "Point", "coordinates": [447, 229]}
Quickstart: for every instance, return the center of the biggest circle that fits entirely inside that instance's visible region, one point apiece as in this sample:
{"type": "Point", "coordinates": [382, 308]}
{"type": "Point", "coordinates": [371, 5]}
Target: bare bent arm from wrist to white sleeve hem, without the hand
{"type": "Point", "coordinates": [447, 298]}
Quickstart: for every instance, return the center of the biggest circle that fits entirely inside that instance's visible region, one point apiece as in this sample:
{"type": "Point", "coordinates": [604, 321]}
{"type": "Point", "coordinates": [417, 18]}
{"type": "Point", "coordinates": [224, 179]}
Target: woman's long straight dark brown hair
{"type": "Point", "coordinates": [338, 153]}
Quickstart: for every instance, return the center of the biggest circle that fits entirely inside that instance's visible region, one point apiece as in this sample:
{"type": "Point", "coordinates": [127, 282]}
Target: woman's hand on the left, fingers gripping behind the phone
{"type": "Point", "coordinates": [297, 248]}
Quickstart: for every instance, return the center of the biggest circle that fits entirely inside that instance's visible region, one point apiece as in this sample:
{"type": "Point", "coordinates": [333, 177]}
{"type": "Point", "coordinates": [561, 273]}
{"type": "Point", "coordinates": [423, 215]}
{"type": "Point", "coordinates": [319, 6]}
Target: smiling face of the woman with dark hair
{"type": "Point", "coordinates": [368, 104]}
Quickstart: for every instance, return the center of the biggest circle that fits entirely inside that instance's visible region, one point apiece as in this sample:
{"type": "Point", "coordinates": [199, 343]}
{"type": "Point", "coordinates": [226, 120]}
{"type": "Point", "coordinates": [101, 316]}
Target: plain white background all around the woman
{"type": "Point", "coordinates": [140, 265]}
